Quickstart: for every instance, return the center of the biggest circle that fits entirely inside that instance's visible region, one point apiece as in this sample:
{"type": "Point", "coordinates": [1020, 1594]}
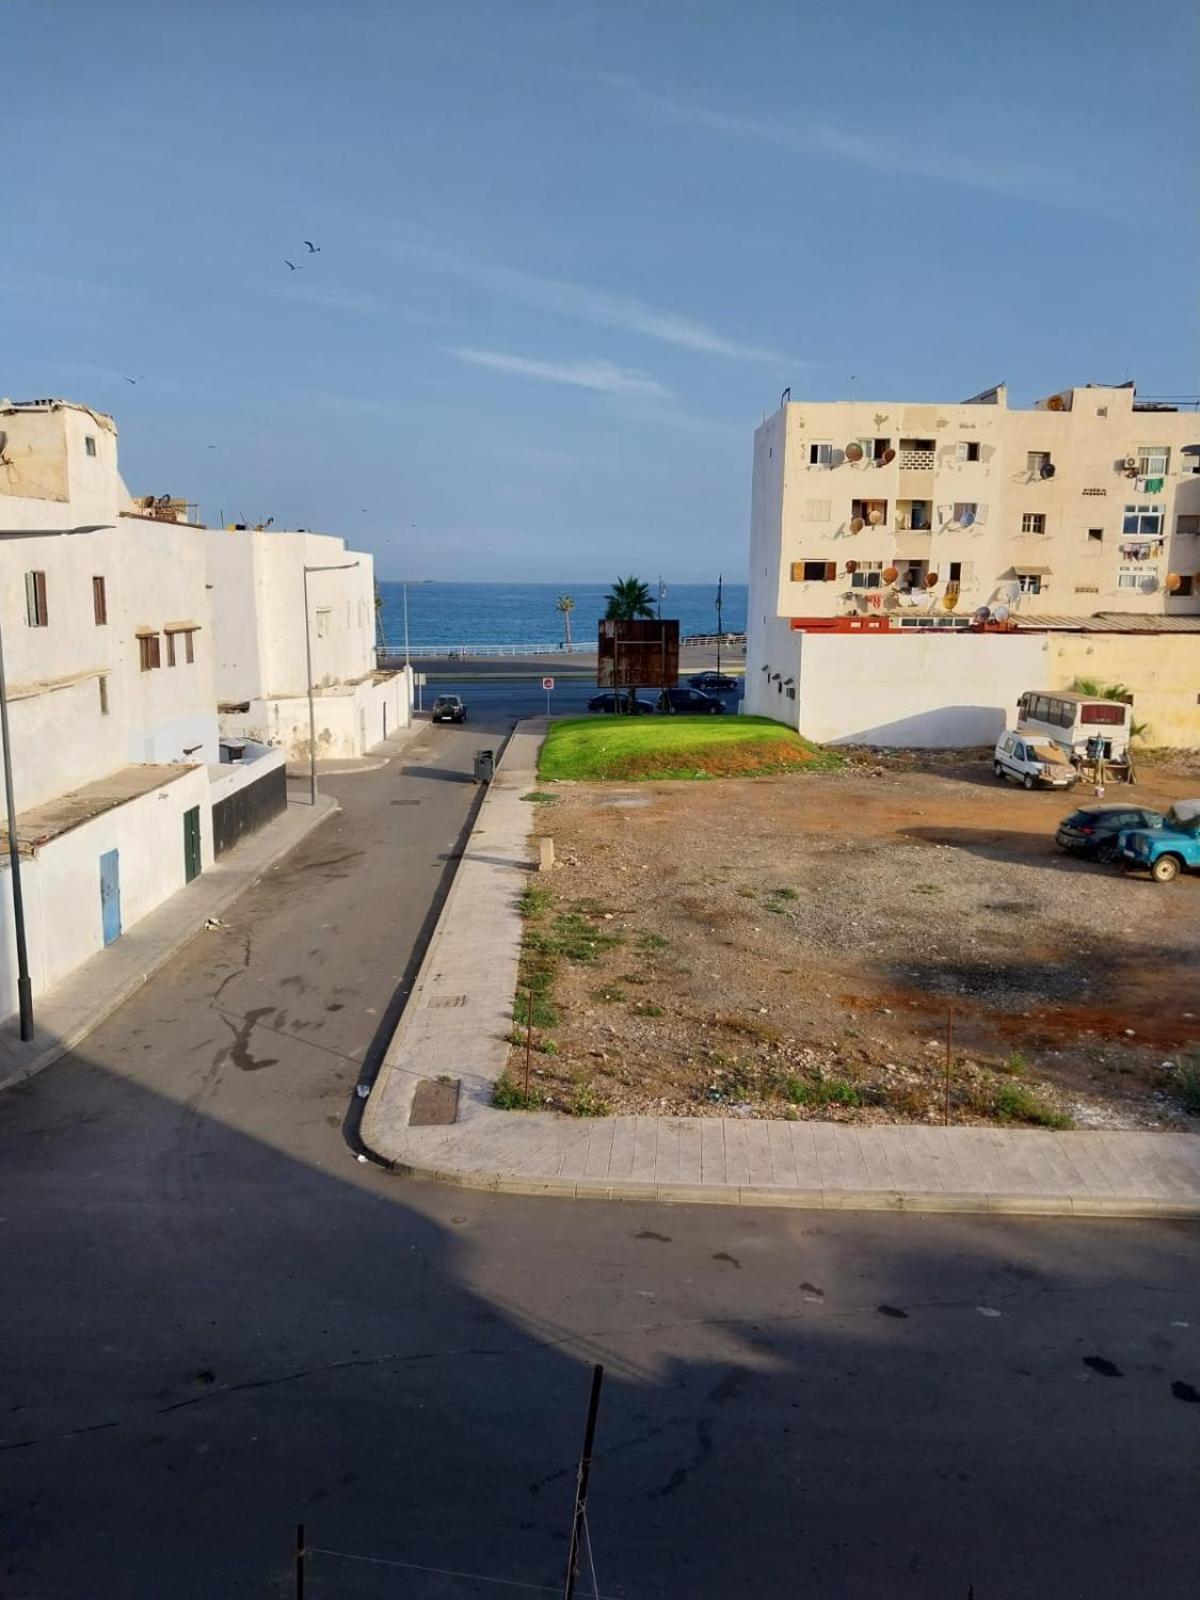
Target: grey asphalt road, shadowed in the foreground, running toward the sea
{"type": "Point", "coordinates": [218, 1324]}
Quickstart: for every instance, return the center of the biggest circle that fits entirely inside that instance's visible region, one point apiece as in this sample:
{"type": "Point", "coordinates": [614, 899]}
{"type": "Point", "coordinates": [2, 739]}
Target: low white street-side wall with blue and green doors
{"type": "Point", "coordinates": [62, 881]}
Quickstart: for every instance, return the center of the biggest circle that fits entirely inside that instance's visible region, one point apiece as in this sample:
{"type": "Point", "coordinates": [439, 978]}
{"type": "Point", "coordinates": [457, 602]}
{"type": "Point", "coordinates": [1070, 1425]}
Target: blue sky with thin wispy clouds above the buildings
{"type": "Point", "coordinates": [570, 254]}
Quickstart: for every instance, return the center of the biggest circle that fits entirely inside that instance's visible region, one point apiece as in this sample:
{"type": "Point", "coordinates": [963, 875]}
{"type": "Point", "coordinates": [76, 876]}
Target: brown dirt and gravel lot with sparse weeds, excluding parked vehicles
{"type": "Point", "coordinates": [796, 945]}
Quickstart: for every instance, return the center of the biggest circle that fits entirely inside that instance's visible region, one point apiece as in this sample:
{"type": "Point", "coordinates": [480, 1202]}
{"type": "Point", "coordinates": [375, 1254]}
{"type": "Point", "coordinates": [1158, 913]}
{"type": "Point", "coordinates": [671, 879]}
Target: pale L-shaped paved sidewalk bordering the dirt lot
{"type": "Point", "coordinates": [462, 1009]}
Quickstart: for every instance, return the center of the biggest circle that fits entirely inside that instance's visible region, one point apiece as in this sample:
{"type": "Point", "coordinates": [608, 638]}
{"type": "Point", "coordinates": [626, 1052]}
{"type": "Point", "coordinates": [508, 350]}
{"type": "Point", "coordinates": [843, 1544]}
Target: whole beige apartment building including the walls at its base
{"type": "Point", "coordinates": [881, 521]}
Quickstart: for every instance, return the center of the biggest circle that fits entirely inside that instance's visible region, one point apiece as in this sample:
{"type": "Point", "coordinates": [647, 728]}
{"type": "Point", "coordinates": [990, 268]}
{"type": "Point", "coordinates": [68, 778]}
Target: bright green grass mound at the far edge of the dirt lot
{"type": "Point", "coordinates": [636, 748]}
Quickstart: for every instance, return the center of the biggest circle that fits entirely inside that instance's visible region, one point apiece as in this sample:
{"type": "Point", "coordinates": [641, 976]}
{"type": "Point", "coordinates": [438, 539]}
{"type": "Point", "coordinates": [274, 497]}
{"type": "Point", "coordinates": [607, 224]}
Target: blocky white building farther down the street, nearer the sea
{"type": "Point", "coordinates": [258, 582]}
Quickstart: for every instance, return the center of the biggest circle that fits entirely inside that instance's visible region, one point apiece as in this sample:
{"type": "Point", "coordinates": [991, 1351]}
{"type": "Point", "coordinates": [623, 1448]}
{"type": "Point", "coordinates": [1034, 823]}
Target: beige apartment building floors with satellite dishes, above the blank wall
{"type": "Point", "coordinates": [1087, 503]}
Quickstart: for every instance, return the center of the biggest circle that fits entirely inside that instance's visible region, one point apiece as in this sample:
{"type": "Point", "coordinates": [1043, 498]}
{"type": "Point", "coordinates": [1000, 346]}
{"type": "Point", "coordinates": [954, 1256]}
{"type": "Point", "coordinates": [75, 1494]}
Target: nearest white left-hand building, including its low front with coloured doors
{"type": "Point", "coordinates": [111, 697]}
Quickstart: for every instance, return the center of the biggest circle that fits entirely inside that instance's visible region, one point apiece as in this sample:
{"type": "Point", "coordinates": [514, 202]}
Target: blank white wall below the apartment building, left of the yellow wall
{"type": "Point", "coordinates": [918, 690]}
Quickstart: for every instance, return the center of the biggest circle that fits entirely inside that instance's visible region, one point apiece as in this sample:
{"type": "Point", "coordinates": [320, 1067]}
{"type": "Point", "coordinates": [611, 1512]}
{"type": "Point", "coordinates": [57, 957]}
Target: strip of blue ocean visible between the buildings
{"type": "Point", "coordinates": [526, 615]}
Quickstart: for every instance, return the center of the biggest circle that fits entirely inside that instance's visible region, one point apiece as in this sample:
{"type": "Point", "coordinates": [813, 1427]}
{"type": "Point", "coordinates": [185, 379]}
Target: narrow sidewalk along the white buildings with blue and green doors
{"type": "Point", "coordinates": [73, 1009]}
